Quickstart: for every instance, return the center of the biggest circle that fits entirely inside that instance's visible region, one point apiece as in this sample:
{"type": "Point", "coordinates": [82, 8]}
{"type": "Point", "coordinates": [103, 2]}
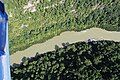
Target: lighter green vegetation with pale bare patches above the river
{"type": "Point", "coordinates": [51, 17]}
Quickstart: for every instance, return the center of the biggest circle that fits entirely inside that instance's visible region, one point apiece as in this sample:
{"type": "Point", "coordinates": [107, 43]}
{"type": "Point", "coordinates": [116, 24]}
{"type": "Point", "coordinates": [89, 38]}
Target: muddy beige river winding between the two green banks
{"type": "Point", "coordinates": [68, 36]}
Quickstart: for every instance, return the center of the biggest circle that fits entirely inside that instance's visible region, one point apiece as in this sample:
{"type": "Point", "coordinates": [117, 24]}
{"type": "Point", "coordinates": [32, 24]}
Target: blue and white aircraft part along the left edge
{"type": "Point", "coordinates": [4, 46]}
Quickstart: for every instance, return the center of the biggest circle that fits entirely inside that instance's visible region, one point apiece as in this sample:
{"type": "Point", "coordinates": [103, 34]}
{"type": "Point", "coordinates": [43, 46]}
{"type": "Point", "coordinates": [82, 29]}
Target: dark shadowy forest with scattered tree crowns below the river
{"type": "Point", "coordinates": [96, 60]}
